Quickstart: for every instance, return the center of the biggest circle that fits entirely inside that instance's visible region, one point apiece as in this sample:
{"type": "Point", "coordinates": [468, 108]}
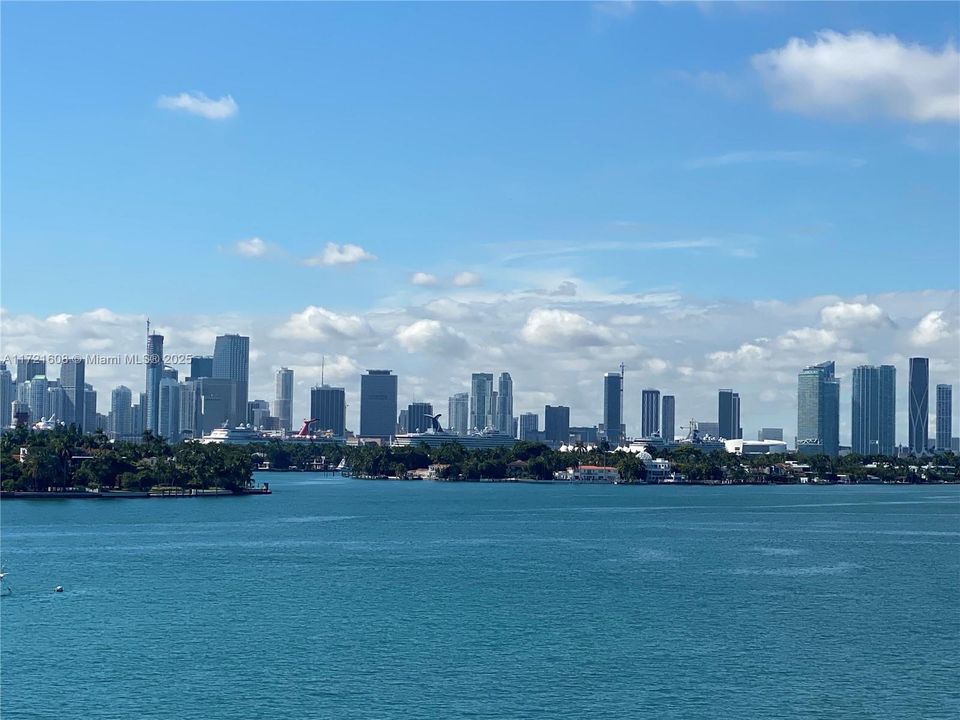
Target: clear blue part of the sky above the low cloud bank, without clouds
{"type": "Point", "coordinates": [432, 135]}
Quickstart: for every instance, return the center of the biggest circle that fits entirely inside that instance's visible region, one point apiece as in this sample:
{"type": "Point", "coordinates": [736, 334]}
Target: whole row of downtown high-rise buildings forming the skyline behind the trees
{"type": "Point", "coordinates": [215, 395]}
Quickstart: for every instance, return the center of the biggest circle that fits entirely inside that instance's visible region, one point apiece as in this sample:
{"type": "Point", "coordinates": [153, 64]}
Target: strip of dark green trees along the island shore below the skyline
{"type": "Point", "coordinates": [64, 458]}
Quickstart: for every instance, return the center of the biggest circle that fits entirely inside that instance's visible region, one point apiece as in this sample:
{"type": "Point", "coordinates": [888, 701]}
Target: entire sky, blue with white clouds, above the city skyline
{"type": "Point", "coordinates": [715, 195]}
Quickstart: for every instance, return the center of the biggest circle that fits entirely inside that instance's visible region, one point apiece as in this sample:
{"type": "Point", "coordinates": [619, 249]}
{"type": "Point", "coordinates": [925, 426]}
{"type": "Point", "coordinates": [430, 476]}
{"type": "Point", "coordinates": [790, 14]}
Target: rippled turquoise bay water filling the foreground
{"type": "Point", "coordinates": [337, 598]}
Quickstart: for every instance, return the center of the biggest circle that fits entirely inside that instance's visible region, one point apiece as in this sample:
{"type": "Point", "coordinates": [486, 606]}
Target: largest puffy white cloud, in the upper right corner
{"type": "Point", "coordinates": [862, 74]}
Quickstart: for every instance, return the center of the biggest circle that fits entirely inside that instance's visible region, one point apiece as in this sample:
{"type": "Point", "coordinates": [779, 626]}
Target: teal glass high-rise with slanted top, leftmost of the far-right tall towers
{"type": "Point", "coordinates": [818, 410]}
